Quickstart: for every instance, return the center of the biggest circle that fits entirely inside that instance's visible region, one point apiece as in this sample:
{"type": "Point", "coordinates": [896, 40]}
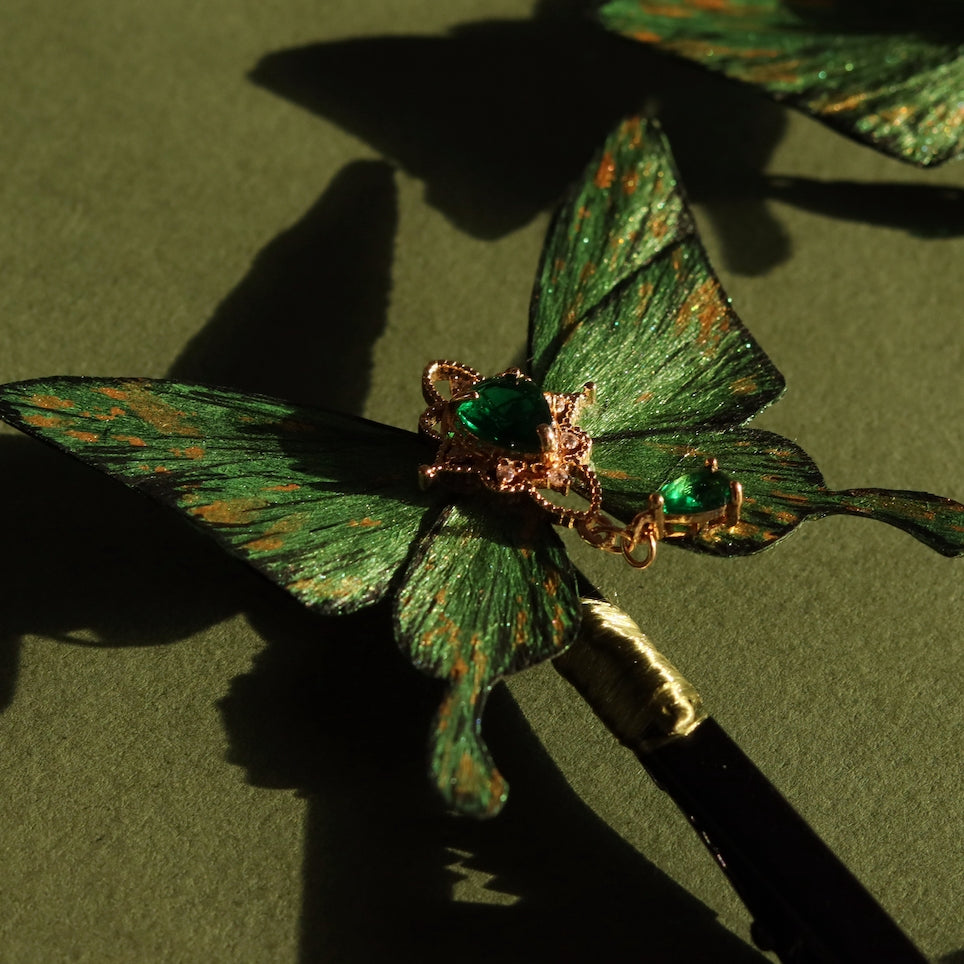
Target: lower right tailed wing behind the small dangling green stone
{"type": "Point", "coordinates": [781, 486]}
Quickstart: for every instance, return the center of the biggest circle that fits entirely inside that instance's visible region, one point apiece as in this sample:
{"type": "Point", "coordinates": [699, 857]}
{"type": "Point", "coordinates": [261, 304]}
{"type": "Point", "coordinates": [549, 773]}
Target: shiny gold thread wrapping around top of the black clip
{"type": "Point", "coordinates": [640, 696]}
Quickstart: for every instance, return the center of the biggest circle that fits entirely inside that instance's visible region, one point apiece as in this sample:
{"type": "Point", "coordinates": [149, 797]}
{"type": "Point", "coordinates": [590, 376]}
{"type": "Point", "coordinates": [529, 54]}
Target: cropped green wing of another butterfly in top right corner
{"type": "Point", "coordinates": [888, 74]}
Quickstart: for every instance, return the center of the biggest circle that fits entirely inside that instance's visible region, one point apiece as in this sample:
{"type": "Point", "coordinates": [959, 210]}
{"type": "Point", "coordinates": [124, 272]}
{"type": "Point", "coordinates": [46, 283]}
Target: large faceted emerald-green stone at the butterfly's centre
{"type": "Point", "coordinates": [507, 413]}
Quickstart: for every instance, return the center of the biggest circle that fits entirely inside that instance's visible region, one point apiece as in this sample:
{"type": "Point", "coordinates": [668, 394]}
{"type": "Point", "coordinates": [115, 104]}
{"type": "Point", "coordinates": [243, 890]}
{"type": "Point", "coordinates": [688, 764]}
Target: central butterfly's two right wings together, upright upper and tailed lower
{"type": "Point", "coordinates": [626, 298]}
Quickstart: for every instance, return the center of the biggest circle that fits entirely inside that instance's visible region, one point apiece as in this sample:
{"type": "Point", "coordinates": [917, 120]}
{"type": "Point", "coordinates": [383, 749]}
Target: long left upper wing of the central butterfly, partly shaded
{"type": "Point", "coordinates": [326, 505]}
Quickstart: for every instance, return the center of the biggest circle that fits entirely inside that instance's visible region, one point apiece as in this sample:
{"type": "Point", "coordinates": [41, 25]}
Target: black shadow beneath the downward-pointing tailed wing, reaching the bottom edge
{"type": "Point", "coordinates": [332, 709]}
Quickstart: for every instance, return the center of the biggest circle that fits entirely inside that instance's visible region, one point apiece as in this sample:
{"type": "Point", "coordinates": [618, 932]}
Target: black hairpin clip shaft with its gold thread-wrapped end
{"type": "Point", "coordinates": [806, 906]}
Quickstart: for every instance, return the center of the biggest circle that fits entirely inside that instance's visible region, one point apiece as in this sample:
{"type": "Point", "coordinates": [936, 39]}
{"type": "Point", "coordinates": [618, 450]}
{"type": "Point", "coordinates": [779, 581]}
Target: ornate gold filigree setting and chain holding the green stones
{"type": "Point", "coordinates": [561, 465]}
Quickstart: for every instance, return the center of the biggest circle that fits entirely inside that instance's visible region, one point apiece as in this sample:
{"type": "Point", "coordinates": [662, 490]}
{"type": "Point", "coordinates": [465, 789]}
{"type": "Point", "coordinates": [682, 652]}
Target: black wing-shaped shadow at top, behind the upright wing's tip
{"type": "Point", "coordinates": [498, 117]}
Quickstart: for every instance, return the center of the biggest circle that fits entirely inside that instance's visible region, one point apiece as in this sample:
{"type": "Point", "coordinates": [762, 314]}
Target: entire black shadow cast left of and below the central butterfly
{"type": "Point", "coordinates": [330, 707]}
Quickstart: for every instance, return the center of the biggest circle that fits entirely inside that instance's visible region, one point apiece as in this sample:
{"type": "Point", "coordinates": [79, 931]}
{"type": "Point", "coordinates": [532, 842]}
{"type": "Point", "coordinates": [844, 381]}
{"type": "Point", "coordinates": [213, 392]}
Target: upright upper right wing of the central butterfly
{"type": "Point", "coordinates": [626, 298]}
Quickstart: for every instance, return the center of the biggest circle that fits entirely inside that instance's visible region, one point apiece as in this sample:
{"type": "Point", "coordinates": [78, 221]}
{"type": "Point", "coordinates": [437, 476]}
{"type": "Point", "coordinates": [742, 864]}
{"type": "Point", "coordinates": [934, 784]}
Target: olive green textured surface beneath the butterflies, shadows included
{"type": "Point", "coordinates": [314, 199]}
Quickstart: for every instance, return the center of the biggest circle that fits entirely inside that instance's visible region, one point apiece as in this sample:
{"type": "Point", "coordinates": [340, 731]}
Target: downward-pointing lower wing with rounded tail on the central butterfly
{"type": "Point", "coordinates": [489, 592]}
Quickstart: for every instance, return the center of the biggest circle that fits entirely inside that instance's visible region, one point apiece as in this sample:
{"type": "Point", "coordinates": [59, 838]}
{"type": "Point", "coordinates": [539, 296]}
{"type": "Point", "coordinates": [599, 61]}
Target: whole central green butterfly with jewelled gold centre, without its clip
{"type": "Point", "coordinates": [641, 381]}
